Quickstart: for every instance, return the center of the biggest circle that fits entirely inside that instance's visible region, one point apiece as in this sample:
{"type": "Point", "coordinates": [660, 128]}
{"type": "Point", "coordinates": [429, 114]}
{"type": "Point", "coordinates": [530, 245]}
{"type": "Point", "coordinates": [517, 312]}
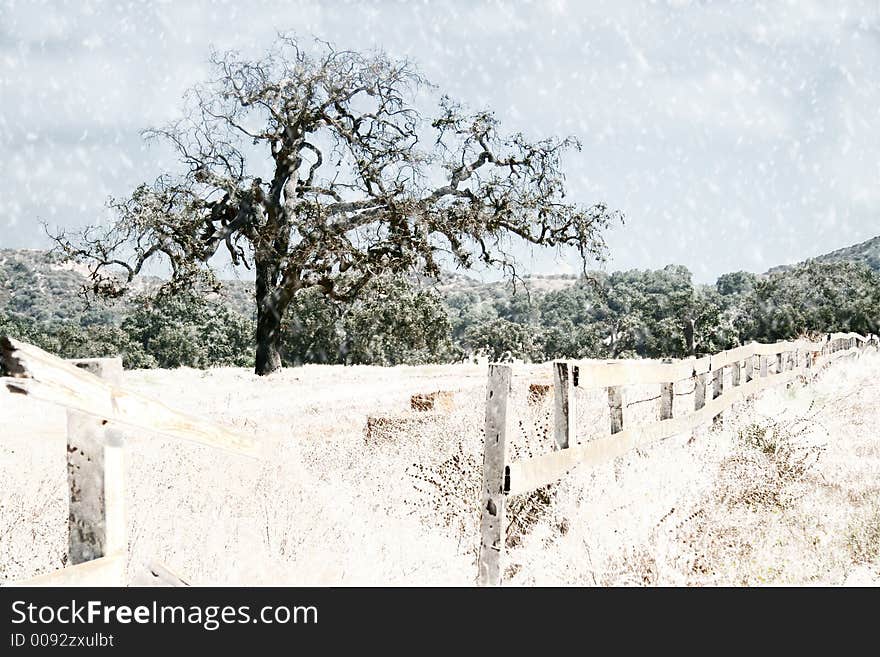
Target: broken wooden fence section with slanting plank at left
{"type": "Point", "coordinates": [96, 405]}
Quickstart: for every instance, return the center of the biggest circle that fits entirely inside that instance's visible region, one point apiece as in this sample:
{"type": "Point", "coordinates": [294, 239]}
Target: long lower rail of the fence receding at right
{"type": "Point", "coordinates": [528, 474]}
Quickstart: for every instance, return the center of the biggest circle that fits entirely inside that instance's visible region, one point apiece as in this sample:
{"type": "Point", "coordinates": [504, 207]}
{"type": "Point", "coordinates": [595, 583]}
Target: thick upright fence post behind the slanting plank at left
{"type": "Point", "coordinates": [95, 471]}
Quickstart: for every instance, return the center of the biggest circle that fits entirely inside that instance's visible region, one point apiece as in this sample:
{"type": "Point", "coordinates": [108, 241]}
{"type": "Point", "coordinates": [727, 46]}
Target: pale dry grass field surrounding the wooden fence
{"type": "Point", "coordinates": [786, 491]}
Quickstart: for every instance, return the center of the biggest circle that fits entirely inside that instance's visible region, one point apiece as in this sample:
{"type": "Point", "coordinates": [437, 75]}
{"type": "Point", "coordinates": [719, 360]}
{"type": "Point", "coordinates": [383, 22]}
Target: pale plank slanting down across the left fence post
{"type": "Point", "coordinates": [43, 376]}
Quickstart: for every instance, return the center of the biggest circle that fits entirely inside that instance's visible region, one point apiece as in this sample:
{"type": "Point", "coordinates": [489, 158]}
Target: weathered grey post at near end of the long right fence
{"type": "Point", "coordinates": [494, 463]}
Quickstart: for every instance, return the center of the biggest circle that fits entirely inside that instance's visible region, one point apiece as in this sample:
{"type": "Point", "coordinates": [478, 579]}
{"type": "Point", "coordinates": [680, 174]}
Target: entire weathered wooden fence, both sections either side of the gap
{"type": "Point", "coordinates": [97, 406]}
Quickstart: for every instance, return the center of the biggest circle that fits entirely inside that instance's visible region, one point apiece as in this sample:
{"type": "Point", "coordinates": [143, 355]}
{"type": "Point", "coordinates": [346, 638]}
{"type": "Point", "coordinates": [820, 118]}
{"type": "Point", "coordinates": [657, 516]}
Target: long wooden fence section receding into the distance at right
{"type": "Point", "coordinates": [753, 368]}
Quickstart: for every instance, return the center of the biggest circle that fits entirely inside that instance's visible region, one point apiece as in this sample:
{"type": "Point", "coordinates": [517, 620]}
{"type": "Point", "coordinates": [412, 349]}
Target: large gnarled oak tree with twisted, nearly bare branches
{"type": "Point", "coordinates": [318, 170]}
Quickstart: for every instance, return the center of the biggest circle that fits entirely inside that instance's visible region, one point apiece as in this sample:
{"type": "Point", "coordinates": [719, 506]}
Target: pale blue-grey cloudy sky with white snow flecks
{"type": "Point", "coordinates": [734, 135]}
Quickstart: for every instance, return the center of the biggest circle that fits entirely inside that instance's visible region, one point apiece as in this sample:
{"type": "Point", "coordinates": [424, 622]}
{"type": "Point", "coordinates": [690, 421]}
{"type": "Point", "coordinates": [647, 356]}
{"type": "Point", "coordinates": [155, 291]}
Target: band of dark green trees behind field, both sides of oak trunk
{"type": "Point", "coordinates": [637, 313]}
